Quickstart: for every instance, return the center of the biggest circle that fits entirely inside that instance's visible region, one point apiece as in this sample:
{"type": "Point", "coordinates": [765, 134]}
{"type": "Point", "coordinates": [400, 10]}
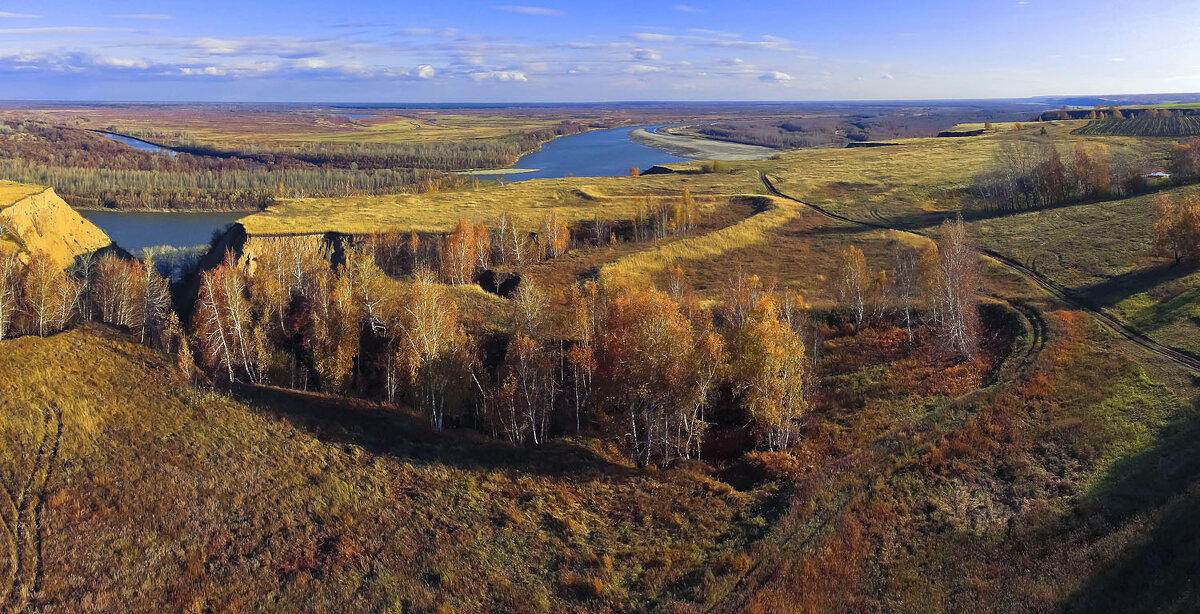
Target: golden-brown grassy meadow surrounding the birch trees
{"type": "Point", "coordinates": [1027, 478]}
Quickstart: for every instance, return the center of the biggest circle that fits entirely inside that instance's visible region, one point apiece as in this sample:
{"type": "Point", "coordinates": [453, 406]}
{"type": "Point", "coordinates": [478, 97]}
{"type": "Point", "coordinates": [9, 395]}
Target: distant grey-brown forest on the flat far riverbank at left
{"type": "Point", "coordinates": [97, 172]}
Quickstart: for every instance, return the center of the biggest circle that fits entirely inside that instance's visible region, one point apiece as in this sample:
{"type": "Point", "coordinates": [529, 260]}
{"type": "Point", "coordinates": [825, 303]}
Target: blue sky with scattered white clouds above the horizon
{"type": "Point", "coordinates": [457, 51]}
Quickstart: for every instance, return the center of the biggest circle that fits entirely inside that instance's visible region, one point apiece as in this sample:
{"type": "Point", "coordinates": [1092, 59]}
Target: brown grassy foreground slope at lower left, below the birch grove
{"type": "Point", "coordinates": [166, 499]}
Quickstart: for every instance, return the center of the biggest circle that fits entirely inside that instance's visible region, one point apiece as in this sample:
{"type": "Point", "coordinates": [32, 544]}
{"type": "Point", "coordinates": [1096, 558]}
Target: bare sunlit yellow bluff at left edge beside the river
{"type": "Point", "coordinates": [37, 220]}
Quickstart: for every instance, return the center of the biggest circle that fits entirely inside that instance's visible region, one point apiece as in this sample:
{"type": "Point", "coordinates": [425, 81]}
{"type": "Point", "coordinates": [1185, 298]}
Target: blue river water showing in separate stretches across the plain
{"type": "Point", "coordinates": [603, 153]}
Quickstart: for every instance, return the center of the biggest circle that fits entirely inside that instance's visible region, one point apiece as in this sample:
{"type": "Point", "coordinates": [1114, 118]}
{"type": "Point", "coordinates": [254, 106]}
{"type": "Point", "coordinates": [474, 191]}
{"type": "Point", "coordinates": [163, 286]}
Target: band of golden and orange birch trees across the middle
{"type": "Point", "coordinates": [651, 369]}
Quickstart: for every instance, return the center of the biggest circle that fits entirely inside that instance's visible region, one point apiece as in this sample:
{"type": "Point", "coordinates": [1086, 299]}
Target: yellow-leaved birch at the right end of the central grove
{"type": "Point", "coordinates": [771, 369]}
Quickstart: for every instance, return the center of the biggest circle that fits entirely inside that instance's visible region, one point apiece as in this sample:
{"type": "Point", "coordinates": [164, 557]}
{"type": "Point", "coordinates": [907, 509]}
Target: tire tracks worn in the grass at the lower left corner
{"type": "Point", "coordinates": [26, 525]}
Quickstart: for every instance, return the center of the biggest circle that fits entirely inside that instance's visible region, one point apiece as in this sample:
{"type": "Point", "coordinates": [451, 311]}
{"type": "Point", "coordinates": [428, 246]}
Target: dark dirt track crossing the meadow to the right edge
{"type": "Point", "coordinates": [1136, 336]}
